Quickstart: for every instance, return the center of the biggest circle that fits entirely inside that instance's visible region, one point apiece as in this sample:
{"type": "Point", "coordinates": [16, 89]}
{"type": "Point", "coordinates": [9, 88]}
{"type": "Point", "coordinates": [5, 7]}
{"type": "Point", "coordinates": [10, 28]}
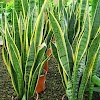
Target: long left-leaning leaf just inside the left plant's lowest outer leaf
{"type": "Point", "coordinates": [15, 59]}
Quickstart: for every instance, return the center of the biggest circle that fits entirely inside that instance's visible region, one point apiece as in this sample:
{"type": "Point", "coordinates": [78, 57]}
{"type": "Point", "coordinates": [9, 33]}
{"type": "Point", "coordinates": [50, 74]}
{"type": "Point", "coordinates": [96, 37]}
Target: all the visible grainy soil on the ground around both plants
{"type": "Point", "coordinates": [54, 88]}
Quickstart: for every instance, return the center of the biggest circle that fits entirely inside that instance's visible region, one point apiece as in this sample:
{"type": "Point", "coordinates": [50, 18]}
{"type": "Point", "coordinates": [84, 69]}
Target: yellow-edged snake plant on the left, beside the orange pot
{"type": "Point", "coordinates": [24, 47]}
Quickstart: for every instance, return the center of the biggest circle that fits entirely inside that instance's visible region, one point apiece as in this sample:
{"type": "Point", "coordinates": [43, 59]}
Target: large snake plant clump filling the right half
{"type": "Point", "coordinates": [77, 45]}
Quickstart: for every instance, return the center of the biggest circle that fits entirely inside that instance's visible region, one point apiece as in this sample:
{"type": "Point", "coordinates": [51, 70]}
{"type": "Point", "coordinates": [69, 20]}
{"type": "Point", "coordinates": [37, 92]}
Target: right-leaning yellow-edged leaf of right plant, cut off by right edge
{"type": "Point", "coordinates": [92, 54]}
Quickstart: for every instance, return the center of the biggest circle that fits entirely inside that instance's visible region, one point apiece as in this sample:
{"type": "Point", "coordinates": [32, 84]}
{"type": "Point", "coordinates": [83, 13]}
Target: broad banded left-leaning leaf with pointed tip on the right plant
{"type": "Point", "coordinates": [61, 45]}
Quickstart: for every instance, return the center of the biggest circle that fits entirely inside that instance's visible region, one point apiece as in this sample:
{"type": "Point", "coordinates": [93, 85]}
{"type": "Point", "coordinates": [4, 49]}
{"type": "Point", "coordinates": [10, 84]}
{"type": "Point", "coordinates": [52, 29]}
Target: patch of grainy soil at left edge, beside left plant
{"type": "Point", "coordinates": [6, 88]}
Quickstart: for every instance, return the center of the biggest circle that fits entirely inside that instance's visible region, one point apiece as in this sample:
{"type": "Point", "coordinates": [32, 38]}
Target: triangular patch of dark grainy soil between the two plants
{"type": "Point", "coordinates": [54, 87]}
